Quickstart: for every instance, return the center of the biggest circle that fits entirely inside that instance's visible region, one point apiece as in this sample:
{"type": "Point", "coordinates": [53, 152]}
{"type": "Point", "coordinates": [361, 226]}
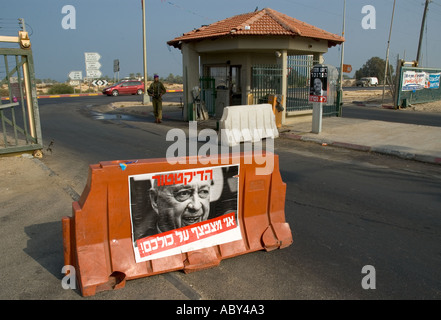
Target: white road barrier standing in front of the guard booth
{"type": "Point", "coordinates": [247, 123]}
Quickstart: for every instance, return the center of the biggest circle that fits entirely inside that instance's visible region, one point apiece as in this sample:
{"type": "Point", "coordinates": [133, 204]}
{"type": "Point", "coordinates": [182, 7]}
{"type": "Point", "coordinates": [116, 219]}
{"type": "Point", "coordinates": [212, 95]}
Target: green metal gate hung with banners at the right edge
{"type": "Point", "coordinates": [418, 85]}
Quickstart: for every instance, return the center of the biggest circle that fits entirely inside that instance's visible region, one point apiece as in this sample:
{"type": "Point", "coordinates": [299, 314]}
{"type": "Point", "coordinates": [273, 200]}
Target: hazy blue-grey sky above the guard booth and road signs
{"type": "Point", "coordinates": [113, 28]}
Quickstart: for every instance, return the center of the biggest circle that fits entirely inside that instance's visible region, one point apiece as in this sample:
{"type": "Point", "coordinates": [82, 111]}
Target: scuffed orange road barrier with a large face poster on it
{"type": "Point", "coordinates": [145, 217]}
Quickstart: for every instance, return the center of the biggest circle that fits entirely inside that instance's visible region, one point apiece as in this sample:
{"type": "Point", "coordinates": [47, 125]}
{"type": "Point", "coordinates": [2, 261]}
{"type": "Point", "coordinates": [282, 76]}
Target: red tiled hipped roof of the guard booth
{"type": "Point", "coordinates": [261, 23]}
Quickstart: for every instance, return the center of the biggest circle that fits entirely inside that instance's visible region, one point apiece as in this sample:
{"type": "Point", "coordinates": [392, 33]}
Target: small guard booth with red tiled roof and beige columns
{"type": "Point", "coordinates": [254, 53]}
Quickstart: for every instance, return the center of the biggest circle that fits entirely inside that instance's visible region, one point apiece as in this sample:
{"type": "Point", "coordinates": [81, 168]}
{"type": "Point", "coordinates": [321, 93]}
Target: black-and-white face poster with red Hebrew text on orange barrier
{"type": "Point", "coordinates": [181, 211]}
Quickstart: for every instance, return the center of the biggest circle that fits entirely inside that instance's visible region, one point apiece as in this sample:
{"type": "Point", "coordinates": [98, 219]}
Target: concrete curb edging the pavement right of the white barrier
{"type": "Point", "coordinates": [357, 147]}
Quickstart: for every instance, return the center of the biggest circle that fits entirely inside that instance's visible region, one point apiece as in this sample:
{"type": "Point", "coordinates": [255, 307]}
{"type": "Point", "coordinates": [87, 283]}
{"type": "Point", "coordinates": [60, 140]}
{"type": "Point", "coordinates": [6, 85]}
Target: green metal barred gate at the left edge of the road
{"type": "Point", "coordinates": [19, 114]}
